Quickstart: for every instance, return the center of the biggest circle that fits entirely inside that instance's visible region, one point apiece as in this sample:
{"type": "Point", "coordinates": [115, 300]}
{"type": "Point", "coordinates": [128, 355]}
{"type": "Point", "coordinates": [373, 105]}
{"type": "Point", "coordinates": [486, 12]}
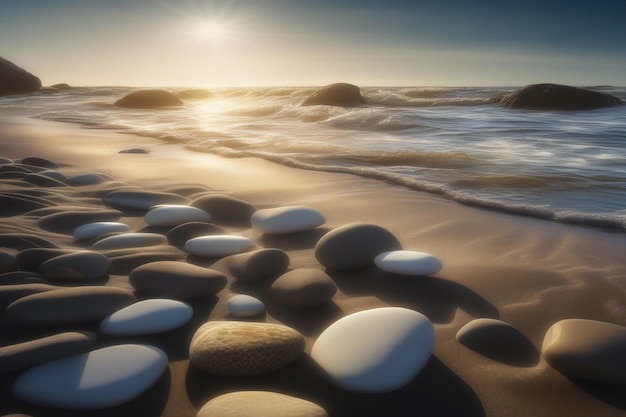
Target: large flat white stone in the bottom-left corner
{"type": "Point", "coordinates": [102, 378]}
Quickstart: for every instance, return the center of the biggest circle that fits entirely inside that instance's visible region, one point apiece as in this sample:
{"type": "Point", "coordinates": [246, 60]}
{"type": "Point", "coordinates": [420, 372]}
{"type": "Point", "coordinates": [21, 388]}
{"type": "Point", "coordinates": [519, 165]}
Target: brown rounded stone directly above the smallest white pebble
{"type": "Point", "coordinates": [258, 265]}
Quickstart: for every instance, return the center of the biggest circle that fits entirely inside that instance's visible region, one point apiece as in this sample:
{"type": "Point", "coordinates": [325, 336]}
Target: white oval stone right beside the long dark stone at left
{"type": "Point", "coordinates": [147, 317]}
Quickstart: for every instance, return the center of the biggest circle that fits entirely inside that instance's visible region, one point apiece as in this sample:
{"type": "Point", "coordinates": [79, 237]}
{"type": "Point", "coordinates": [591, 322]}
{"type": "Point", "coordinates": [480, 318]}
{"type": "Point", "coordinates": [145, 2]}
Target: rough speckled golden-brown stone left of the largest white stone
{"type": "Point", "coordinates": [239, 348]}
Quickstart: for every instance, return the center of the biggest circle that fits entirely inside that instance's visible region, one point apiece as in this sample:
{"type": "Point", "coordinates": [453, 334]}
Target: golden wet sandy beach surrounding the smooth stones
{"type": "Point", "coordinates": [526, 272]}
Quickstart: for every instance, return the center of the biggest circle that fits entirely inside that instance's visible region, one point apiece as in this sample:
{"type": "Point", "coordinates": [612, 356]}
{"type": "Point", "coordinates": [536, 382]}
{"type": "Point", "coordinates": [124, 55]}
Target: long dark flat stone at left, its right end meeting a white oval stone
{"type": "Point", "coordinates": [68, 306]}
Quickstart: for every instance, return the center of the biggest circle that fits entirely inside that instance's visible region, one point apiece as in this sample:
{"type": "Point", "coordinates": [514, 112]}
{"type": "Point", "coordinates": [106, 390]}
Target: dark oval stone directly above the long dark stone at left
{"type": "Point", "coordinates": [77, 265]}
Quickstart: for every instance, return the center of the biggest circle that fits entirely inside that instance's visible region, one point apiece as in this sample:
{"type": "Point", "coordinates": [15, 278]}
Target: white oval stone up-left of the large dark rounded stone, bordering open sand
{"type": "Point", "coordinates": [288, 219]}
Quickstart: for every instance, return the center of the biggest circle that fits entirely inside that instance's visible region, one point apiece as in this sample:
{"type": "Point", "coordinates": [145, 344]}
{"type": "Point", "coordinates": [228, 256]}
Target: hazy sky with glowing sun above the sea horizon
{"type": "Point", "coordinates": [227, 43]}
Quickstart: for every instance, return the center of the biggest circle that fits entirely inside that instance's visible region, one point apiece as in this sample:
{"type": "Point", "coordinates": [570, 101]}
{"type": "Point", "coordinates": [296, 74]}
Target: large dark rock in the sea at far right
{"type": "Point", "coordinates": [557, 97]}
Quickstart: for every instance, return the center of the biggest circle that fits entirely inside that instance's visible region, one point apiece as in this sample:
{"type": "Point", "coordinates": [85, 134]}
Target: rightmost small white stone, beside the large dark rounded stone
{"type": "Point", "coordinates": [407, 262]}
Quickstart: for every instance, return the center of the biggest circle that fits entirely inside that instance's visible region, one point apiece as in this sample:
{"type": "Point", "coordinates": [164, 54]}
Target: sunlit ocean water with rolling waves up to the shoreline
{"type": "Point", "coordinates": [456, 142]}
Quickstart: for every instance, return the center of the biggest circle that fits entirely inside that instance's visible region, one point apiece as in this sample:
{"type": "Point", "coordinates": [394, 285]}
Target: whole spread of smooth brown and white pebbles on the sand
{"type": "Point", "coordinates": [82, 284]}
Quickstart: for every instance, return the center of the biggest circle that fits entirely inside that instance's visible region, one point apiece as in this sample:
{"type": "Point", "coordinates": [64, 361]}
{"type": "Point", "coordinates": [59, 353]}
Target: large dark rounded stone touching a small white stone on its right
{"type": "Point", "coordinates": [354, 246]}
